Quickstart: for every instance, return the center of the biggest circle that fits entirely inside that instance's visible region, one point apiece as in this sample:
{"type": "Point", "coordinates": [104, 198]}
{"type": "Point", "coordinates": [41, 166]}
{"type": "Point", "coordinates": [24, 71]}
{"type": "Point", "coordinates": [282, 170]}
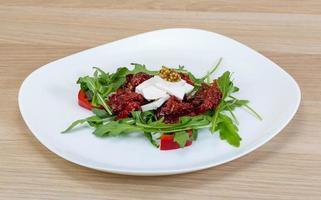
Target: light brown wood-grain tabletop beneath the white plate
{"type": "Point", "coordinates": [33, 33]}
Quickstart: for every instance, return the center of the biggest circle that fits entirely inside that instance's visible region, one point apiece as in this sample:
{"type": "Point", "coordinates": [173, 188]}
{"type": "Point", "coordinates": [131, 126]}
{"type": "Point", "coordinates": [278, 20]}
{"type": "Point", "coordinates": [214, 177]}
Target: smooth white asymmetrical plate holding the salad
{"type": "Point", "coordinates": [48, 102]}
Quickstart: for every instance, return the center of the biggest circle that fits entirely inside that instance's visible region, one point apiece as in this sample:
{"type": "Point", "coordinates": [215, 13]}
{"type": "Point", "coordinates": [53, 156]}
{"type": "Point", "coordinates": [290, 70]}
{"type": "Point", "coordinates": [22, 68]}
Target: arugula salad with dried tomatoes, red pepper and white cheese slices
{"type": "Point", "coordinates": [168, 106]}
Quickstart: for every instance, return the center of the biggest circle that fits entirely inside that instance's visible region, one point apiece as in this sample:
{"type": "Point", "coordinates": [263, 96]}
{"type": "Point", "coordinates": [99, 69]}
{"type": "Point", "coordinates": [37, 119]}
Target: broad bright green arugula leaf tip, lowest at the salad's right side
{"type": "Point", "coordinates": [228, 130]}
